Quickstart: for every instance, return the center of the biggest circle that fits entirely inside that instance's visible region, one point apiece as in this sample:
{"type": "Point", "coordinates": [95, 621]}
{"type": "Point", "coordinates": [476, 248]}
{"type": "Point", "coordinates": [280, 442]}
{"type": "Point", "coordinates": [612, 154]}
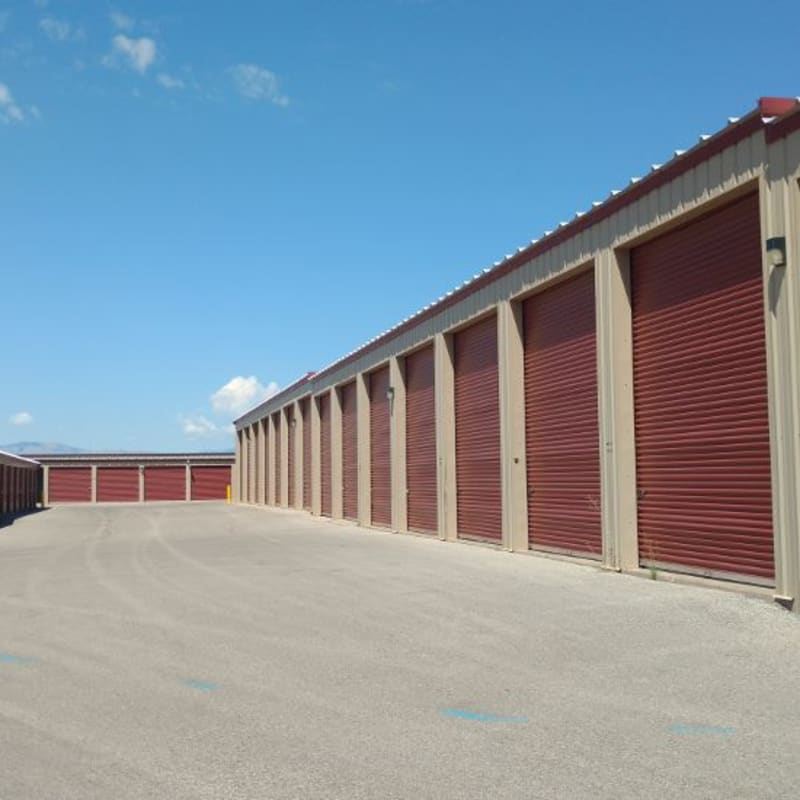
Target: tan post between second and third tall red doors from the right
{"type": "Point", "coordinates": [511, 366]}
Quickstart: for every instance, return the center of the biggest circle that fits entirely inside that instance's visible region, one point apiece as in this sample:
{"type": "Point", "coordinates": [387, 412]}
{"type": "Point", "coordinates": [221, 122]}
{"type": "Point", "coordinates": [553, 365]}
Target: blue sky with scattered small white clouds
{"type": "Point", "coordinates": [196, 196]}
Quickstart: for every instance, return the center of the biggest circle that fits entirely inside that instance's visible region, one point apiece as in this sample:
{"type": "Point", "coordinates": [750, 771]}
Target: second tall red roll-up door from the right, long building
{"type": "Point", "coordinates": [561, 427]}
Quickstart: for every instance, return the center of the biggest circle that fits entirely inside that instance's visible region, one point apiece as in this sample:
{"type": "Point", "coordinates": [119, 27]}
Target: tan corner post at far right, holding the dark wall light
{"type": "Point", "coordinates": [780, 207]}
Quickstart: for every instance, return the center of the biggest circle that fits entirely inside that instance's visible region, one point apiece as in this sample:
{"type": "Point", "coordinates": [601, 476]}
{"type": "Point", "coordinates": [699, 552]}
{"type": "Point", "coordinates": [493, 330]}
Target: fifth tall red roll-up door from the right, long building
{"type": "Point", "coordinates": [380, 448]}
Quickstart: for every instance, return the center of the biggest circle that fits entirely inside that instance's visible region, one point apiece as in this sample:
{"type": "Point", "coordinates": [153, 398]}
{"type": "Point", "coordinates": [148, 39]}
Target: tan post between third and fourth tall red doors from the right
{"type": "Point", "coordinates": [446, 436]}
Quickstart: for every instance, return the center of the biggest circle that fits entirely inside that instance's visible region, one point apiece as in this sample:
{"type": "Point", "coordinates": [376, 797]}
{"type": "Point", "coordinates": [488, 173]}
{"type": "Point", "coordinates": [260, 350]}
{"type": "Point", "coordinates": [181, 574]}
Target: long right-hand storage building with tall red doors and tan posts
{"type": "Point", "coordinates": [622, 390]}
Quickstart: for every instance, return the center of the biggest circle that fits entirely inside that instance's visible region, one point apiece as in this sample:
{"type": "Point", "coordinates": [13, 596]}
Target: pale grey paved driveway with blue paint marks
{"type": "Point", "coordinates": [207, 651]}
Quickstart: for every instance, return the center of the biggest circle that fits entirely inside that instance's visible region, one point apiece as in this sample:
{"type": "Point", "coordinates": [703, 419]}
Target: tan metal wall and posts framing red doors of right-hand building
{"type": "Point", "coordinates": [774, 169]}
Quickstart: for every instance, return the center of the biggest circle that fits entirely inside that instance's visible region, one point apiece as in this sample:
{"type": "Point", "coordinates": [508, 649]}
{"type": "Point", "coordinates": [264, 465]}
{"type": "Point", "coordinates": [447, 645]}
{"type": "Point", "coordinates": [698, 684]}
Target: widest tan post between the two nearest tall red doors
{"type": "Point", "coordinates": [615, 410]}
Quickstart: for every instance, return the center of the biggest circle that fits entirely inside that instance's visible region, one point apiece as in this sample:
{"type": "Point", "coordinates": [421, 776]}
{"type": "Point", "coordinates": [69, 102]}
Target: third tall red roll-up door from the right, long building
{"type": "Point", "coordinates": [477, 402]}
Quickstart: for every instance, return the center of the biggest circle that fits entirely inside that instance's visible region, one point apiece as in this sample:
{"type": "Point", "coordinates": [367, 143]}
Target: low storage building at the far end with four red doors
{"type": "Point", "coordinates": [132, 478]}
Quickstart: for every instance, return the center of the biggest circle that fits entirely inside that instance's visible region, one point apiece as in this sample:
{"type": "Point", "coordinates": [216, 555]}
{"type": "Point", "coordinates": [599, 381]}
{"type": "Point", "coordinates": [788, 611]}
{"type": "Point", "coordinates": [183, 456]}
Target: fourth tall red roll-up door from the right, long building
{"type": "Point", "coordinates": [421, 442]}
